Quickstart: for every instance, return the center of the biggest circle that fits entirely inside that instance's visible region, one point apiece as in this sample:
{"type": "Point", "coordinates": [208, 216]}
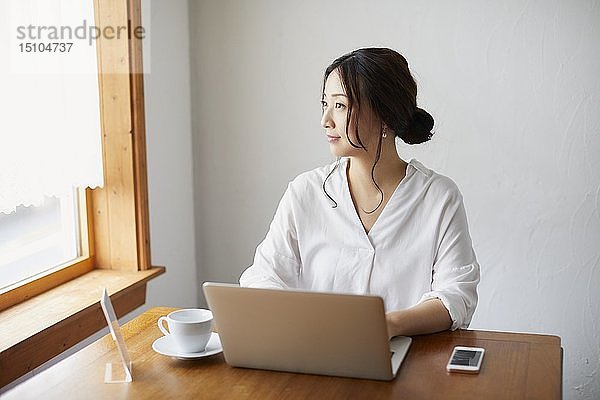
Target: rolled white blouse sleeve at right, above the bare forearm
{"type": "Point", "coordinates": [455, 273]}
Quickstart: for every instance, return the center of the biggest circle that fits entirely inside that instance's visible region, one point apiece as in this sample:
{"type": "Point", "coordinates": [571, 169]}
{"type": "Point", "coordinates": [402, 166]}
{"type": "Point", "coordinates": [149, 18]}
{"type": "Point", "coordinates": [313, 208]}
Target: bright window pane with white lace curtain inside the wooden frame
{"type": "Point", "coordinates": [50, 135]}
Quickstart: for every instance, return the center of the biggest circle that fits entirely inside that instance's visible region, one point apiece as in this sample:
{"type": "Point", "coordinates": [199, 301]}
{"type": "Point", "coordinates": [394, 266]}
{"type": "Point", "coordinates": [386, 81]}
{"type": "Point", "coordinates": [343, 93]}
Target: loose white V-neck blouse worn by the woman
{"type": "Point", "coordinates": [419, 247]}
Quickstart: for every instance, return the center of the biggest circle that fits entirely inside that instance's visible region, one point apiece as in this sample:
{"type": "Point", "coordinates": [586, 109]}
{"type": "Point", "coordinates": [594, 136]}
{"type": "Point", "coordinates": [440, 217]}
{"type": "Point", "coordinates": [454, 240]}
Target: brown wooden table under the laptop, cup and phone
{"type": "Point", "coordinates": [516, 366]}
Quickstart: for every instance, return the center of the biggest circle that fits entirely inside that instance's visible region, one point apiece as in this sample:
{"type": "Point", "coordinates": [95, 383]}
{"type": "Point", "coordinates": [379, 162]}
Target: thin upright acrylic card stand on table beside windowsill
{"type": "Point", "coordinates": [115, 372]}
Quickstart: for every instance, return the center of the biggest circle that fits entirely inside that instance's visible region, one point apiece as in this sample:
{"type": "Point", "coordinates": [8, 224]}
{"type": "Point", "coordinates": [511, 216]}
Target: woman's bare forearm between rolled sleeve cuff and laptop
{"type": "Point", "coordinates": [429, 316]}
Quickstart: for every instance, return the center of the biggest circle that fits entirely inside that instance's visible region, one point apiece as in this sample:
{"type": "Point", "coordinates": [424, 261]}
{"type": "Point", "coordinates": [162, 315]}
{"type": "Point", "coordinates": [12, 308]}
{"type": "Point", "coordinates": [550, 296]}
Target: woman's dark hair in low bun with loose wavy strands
{"type": "Point", "coordinates": [380, 79]}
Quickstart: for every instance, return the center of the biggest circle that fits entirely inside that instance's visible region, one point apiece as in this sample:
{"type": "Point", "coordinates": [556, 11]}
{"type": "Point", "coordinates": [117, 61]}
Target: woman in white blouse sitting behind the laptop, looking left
{"type": "Point", "coordinates": [372, 223]}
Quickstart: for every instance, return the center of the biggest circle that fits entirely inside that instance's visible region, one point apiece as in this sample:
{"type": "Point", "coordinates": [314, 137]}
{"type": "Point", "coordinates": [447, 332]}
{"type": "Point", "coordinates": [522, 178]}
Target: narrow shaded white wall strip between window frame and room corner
{"type": "Point", "coordinates": [169, 154]}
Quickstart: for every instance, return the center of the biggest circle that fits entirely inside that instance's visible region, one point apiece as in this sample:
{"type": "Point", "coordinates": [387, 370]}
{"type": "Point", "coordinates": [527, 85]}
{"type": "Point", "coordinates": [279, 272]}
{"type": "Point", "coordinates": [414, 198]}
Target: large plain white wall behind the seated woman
{"type": "Point", "coordinates": [515, 92]}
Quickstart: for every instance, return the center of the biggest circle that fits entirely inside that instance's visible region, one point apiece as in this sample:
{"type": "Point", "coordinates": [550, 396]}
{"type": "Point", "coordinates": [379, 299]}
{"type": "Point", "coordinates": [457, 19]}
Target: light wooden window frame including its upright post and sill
{"type": "Point", "coordinates": [117, 234]}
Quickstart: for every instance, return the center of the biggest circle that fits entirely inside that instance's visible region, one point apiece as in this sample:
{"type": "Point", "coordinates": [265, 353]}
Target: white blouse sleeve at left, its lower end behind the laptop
{"type": "Point", "coordinates": [276, 261]}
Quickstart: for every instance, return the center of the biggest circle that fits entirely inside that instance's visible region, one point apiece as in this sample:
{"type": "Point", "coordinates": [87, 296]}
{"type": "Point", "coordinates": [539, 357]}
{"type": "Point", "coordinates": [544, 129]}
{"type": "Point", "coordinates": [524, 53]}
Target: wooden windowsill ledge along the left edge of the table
{"type": "Point", "coordinates": [42, 327]}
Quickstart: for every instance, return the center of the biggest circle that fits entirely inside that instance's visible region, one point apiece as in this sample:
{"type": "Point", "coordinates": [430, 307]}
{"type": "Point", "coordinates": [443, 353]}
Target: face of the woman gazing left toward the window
{"type": "Point", "coordinates": [335, 111]}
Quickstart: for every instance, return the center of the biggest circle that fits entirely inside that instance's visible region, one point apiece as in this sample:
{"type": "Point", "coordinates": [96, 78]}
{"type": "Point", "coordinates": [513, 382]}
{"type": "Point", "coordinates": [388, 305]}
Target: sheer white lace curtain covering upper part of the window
{"type": "Point", "coordinates": [50, 136]}
